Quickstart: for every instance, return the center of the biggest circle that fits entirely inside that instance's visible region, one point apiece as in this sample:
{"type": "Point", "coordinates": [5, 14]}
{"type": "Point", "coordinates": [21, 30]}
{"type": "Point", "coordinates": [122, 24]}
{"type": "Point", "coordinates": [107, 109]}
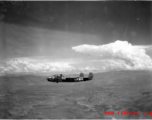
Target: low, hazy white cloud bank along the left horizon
{"type": "Point", "coordinates": [43, 65]}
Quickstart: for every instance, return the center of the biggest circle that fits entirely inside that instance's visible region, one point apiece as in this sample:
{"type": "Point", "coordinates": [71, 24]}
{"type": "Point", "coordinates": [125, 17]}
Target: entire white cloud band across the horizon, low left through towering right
{"type": "Point", "coordinates": [119, 55]}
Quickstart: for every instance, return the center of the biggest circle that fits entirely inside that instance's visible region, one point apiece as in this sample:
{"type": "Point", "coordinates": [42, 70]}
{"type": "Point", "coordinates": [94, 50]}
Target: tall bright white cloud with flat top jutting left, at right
{"type": "Point", "coordinates": [119, 54]}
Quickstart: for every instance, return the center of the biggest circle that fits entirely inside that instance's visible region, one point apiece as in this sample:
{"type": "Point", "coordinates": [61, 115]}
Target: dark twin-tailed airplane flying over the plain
{"type": "Point", "coordinates": [61, 78]}
